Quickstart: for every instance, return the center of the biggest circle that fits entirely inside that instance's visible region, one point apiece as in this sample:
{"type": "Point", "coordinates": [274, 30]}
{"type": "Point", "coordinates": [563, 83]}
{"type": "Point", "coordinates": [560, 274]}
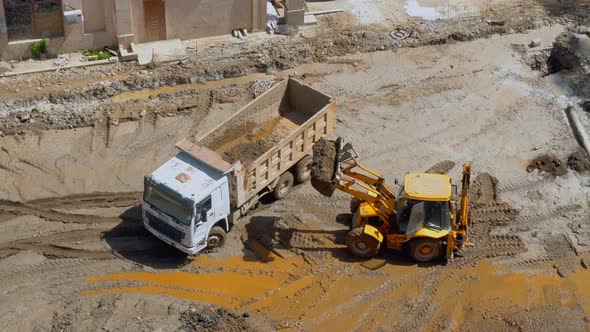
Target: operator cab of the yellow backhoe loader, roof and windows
{"type": "Point", "coordinates": [424, 202]}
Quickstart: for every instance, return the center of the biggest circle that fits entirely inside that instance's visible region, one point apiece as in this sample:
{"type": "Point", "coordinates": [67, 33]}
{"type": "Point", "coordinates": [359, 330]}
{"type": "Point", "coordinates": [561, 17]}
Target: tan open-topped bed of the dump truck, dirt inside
{"type": "Point", "coordinates": [266, 137]}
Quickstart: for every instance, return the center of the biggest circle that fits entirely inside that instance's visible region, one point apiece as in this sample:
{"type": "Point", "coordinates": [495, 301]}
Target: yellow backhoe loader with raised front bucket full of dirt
{"type": "Point", "coordinates": [427, 219]}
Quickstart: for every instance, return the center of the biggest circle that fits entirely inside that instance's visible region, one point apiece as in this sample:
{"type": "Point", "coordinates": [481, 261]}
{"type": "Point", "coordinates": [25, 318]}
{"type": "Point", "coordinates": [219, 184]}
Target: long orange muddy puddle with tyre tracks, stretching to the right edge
{"type": "Point", "coordinates": [341, 295]}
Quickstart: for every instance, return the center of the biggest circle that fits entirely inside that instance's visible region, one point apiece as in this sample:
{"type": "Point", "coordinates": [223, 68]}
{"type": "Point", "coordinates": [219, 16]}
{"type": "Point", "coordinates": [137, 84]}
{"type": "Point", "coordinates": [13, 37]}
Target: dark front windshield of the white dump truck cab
{"type": "Point", "coordinates": [169, 202]}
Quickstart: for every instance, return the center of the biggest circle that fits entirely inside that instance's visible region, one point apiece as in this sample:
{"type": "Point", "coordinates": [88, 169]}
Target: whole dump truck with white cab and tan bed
{"type": "Point", "coordinates": [193, 199]}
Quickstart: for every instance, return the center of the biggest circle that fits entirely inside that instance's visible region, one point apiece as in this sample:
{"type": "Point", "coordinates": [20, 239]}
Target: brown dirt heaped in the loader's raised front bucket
{"type": "Point", "coordinates": [322, 169]}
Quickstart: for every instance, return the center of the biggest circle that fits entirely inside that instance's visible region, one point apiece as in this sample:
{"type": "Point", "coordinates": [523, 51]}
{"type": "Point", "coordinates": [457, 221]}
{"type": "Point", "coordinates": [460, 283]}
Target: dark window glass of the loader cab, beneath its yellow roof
{"type": "Point", "coordinates": [430, 215]}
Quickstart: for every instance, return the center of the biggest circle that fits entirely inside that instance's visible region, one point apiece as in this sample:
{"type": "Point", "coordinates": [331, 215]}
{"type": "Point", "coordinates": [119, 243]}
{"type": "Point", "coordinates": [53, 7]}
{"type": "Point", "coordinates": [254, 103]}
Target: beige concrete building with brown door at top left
{"type": "Point", "coordinates": [119, 22]}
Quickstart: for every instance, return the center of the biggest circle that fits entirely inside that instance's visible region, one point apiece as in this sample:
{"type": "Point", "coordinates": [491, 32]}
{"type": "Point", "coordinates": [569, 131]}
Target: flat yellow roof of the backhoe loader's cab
{"type": "Point", "coordinates": [428, 187]}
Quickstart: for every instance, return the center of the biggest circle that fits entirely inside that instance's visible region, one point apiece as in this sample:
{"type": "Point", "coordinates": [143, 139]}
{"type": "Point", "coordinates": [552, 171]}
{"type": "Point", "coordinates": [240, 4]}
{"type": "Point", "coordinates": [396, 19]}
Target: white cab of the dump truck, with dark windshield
{"type": "Point", "coordinates": [186, 204]}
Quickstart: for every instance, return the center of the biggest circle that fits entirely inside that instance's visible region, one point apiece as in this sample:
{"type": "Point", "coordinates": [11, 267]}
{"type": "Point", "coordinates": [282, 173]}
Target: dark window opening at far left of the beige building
{"type": "Point", "coordinates": [33, 19]}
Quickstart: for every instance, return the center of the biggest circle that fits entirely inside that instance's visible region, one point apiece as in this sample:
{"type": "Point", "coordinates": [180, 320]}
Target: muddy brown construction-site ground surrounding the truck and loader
{"type": "Point", "coordinates": [75, 145]}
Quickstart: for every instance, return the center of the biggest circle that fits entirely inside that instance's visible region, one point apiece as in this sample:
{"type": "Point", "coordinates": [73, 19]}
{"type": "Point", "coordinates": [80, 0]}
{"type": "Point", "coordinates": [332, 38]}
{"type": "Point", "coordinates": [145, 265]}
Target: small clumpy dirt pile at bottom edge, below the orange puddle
{"type": "Point", "coordinates": [208, 319]}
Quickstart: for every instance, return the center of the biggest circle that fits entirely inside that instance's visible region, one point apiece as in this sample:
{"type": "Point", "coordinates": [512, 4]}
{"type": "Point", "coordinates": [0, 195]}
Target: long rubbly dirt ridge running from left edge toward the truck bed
{"type": "Point", "coordinates": [60, 113]}
